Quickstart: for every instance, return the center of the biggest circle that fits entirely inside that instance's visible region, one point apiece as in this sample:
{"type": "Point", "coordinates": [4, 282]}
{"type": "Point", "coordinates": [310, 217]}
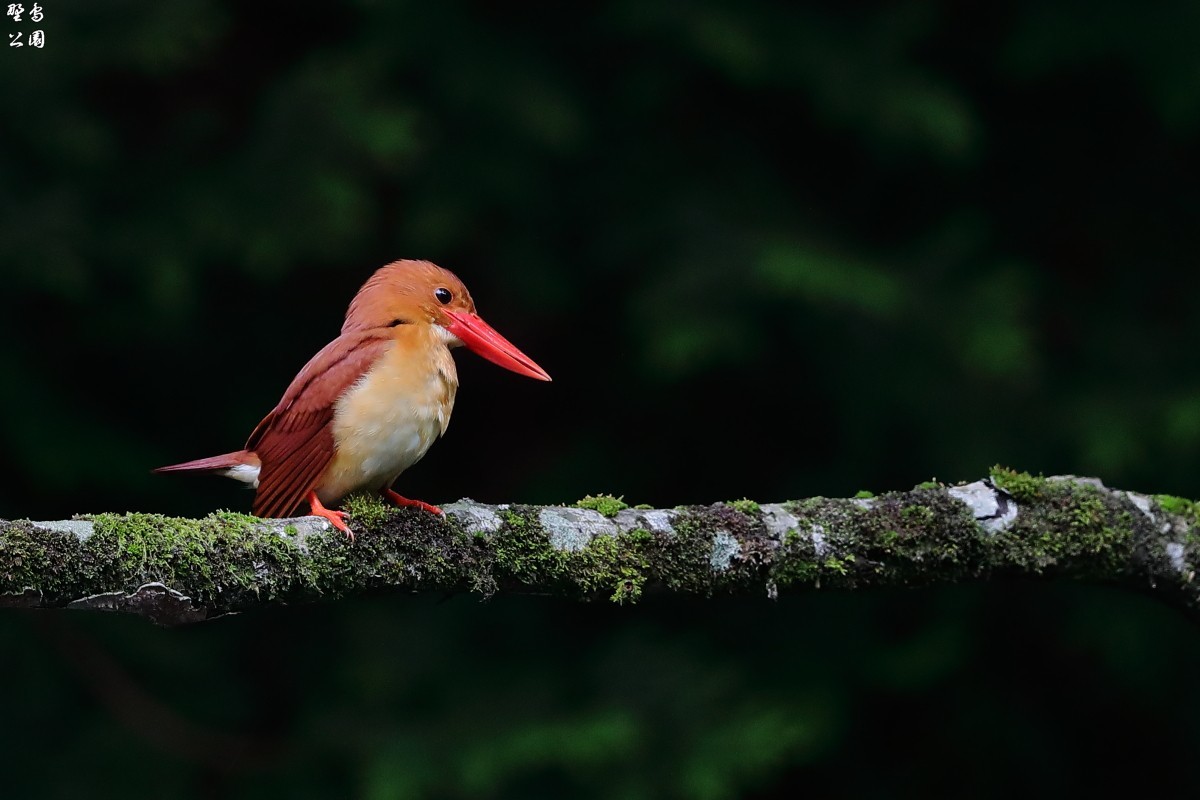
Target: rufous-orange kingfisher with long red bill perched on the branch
{"type": "Point", "coordinates": [373, 401]}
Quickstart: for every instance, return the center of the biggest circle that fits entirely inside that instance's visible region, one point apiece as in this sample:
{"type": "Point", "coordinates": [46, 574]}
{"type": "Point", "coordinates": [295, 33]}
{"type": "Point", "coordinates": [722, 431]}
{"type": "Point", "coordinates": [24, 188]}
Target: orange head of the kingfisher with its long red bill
{"type": "Point", "coordinates": [422, 293]}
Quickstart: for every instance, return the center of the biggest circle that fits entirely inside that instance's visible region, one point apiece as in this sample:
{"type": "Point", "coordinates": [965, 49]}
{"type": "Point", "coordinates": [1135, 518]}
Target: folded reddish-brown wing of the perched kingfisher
{"type": "Point", "coordinates": [296, 441]}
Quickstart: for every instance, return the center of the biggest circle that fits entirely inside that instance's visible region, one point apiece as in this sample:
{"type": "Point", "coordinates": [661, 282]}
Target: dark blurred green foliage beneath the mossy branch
{"type": "Point", "coordinates": [1043, 689]}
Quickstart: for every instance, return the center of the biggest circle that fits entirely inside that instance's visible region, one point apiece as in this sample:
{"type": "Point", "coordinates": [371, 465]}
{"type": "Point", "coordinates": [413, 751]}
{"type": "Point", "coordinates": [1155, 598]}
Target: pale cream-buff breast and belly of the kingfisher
{"type": "Point", "coordinates": [386, 423]}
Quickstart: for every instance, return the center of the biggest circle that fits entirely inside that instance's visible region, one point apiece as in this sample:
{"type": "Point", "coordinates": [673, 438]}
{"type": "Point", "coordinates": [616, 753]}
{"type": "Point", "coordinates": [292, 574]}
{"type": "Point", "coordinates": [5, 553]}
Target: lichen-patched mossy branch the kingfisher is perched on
{"type": "Point", "coordinates": [1010, 525]}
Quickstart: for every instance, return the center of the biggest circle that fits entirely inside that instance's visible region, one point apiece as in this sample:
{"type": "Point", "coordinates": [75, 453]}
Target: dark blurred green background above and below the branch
{"type": "Point", "coordinates": [767, 250]}
